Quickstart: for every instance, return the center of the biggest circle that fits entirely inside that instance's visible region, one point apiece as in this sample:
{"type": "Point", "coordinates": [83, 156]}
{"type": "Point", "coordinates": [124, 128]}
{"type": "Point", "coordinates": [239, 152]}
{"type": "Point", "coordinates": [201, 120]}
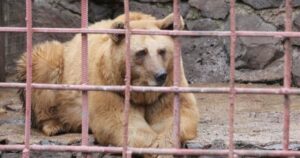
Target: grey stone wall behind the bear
{"type": "Point", "coordinates": [206, 59]}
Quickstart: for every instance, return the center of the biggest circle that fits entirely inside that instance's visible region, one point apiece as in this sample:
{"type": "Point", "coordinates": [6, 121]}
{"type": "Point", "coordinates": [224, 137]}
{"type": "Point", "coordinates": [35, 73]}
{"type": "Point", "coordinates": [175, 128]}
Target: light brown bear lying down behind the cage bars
{"type": "Point", "coordinates": [151, 113]}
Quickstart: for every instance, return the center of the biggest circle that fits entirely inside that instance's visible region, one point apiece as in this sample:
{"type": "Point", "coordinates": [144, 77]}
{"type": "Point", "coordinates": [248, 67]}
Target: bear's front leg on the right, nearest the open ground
{"type": "Point", "coordinates": [160, 117]}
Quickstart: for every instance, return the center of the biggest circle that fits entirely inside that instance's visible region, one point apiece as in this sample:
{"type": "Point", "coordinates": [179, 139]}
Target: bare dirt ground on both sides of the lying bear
{"type": "Point", "coordinates": [258, 121]}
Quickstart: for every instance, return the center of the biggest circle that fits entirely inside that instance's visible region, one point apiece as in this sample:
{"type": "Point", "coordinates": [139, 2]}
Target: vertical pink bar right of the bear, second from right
{"type": "Point", "coordinates": [232, 78]}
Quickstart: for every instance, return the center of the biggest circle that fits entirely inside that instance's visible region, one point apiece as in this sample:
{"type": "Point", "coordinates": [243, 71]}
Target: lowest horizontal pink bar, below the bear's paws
{"type": "Point", "coordinates": [65, 148]}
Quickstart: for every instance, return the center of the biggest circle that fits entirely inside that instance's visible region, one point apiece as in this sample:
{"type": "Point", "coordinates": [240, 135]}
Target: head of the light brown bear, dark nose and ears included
{"type": "Point", "coordinates": [151, 55]}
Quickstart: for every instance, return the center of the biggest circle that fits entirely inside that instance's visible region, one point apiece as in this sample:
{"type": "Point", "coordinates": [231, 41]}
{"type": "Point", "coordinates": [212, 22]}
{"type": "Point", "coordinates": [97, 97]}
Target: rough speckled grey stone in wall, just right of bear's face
{"type": "Point", "coordinates": [205, 59]}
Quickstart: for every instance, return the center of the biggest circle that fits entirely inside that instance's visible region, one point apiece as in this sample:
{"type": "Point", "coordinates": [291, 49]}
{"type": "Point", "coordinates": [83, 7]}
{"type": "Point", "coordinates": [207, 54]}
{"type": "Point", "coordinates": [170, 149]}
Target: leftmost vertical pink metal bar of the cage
{"type": "Point", "coordinates": [26, 151]}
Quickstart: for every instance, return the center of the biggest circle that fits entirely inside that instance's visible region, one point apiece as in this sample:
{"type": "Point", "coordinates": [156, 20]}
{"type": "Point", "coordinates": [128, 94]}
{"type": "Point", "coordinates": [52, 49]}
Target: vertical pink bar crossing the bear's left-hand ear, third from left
{"type": "Point", "coordinates": [127, 79]}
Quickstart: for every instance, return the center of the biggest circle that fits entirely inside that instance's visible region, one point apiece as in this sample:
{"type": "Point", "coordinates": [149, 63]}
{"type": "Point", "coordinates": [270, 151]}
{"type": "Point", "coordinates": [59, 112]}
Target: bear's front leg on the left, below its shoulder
{"type": "Point", "coordinates": [107, 118]}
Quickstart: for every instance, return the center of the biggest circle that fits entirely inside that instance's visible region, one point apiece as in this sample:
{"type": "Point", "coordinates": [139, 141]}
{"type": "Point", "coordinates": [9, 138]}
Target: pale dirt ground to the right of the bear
{"type": "Point", "coordinates": [258, 119]}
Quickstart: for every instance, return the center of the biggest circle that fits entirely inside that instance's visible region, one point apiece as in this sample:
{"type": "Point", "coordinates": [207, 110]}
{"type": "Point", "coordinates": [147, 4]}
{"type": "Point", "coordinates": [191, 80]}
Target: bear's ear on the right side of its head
{"type": "Point", "coordinates": [167, 22]}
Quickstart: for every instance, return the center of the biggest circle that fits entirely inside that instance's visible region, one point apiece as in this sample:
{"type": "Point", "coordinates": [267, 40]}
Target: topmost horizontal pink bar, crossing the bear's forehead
{"type": "Point", "coordinates": [154, 32]}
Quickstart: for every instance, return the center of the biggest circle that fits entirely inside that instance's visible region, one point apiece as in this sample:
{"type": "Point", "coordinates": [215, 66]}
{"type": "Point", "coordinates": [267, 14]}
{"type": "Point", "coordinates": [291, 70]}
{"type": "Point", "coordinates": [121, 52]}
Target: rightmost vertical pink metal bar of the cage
{"type": "Point", "coordinates": [287, 74]}
